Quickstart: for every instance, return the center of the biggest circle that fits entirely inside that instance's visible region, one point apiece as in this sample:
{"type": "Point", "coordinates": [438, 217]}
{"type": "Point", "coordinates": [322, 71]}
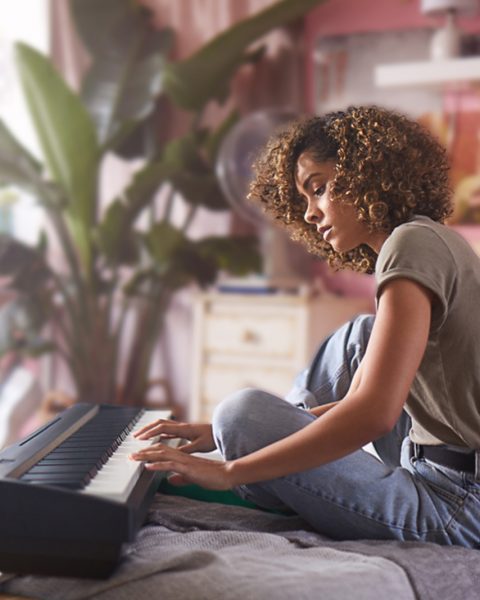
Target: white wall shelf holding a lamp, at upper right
{"type": "Point", "coordinates": [431, 73]}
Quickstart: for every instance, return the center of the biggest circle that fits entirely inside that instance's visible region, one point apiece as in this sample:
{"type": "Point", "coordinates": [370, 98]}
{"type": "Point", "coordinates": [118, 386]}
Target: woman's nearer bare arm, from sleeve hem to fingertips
{"type": "Point", "coordinates": [371, 407]}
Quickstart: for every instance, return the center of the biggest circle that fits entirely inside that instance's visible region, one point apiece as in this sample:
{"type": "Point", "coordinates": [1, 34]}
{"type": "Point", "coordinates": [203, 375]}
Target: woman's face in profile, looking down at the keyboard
{"type": "Point", "coordinates": [336, 221]}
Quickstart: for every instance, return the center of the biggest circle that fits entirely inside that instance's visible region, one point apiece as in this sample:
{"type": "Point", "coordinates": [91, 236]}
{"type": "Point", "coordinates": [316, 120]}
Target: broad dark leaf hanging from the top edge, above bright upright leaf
{"type": "Point", "coordinates": [128, 55]}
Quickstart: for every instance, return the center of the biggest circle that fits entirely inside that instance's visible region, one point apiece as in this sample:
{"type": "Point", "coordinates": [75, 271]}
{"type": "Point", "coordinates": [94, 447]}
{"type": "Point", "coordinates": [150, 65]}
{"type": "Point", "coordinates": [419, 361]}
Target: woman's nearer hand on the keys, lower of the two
{"type": "Point", "coordinates": [210, 474]}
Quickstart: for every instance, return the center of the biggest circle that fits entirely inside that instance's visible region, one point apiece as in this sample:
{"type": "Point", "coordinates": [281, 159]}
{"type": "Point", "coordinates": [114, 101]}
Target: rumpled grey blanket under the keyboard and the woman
{"type": "Point", "coordinates": [196, 550]}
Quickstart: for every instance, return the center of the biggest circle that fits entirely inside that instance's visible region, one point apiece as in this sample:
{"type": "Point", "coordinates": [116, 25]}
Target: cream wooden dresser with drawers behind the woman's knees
{"type": "Point", "coordinates": [253, 340]}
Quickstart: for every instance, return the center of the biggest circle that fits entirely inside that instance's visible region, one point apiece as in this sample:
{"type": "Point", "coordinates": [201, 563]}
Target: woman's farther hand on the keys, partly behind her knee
{"type": "Point", "coordinates": [199, 435]}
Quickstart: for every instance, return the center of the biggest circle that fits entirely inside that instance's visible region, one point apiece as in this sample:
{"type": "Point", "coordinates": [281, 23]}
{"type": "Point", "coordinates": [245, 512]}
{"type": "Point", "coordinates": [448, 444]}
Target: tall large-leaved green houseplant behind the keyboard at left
{"type": "Point", "coordinates": [111, 268]}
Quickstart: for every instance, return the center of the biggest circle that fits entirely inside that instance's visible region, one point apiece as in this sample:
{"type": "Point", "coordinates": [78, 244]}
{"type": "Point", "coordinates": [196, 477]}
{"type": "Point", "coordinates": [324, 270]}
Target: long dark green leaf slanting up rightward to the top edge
{"type": "Point", "coordinates": [191, 83]}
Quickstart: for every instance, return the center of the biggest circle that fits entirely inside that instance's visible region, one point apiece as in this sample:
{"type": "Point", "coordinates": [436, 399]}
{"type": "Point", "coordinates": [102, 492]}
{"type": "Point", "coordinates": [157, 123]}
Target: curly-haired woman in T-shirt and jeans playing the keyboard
{"type": "Point", "coordinates": [367, 189]}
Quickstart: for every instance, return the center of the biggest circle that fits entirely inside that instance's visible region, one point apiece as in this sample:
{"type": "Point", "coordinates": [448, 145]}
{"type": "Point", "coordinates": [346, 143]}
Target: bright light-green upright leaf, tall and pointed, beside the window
{"type": "Point", "coordinates": [67, 137]}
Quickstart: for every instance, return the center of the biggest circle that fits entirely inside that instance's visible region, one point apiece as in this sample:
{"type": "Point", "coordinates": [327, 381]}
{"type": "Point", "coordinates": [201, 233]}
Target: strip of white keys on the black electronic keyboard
{"type": "Point", "coordinates": [116, 479]}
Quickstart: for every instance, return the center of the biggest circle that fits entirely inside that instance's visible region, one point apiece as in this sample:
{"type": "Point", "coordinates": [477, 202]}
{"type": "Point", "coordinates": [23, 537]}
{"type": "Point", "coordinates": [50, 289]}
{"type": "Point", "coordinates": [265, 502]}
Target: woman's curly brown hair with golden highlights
{"type": "Point", "coordinates": [388, 166]}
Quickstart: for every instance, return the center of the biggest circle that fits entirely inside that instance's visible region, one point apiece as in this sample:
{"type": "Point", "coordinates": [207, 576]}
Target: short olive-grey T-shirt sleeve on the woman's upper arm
{"type": "Point", "coordinates": [418, 253]}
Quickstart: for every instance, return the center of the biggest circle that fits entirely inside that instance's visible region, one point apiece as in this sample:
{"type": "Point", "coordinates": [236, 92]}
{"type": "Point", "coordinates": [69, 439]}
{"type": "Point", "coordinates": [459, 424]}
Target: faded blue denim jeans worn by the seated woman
{"type": "Point", "coordinates": [359, 496]}
